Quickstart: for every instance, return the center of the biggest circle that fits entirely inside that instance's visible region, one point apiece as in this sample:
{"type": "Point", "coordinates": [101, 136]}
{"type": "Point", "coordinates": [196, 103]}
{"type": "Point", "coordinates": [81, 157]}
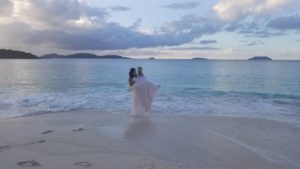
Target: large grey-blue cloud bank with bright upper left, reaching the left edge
{"type": "Point", "coordinates": [74, 25]}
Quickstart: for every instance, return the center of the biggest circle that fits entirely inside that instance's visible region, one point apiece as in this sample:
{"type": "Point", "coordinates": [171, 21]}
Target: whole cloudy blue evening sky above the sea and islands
{"type": "Point", "coordinates": [216, 29]}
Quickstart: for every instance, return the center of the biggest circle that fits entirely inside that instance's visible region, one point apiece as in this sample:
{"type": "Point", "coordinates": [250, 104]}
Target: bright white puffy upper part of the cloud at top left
{"type": "Point", "coordinates": [54, 14]}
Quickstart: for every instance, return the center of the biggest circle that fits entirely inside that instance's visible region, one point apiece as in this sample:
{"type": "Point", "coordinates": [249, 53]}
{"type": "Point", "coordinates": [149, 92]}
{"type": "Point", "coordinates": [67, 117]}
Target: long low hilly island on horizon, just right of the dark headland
{"type": "Point", "coordinates": [81, 56]}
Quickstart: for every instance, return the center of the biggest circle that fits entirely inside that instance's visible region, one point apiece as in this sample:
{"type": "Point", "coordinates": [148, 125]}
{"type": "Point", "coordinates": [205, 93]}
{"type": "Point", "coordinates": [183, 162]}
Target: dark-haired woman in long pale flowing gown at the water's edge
{"type": "Point", "coordinates": [143, 93]}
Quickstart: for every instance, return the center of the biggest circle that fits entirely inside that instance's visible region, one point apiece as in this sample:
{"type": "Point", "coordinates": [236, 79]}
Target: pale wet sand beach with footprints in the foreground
{"type": "Point", "coordinates": [116, 141]}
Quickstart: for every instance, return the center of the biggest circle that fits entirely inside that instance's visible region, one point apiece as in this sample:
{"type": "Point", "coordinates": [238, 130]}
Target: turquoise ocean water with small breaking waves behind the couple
{"type": "Point", "coordinates": [234, 88]}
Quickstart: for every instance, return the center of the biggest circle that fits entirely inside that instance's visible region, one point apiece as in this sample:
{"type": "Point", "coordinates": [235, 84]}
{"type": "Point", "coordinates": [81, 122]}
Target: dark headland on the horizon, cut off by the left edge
{"type": "Point", "coordinates": [13, 54]}
